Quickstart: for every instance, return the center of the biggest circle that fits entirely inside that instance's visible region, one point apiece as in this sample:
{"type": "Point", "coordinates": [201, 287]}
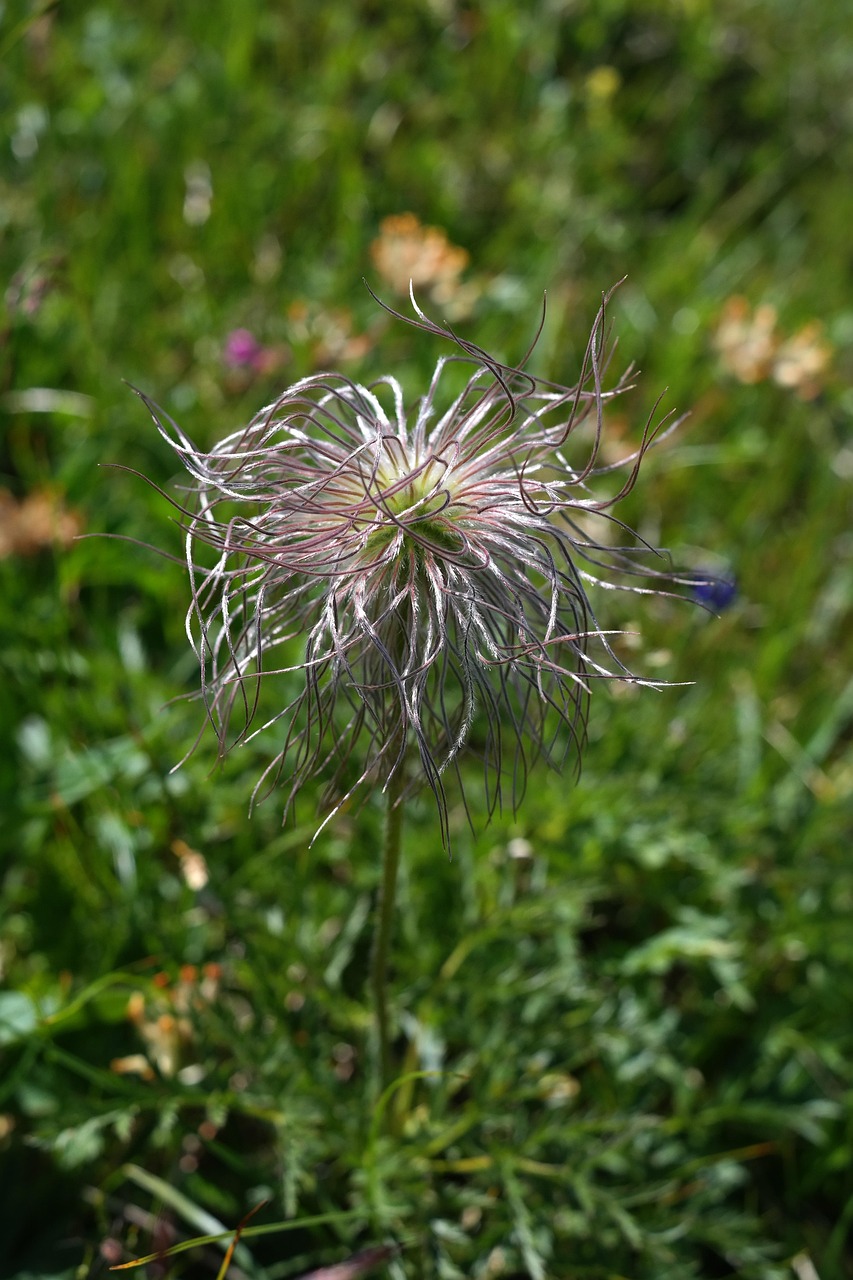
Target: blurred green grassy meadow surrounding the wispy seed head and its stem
{"type": "Point", "coordinates": [642, 1027]}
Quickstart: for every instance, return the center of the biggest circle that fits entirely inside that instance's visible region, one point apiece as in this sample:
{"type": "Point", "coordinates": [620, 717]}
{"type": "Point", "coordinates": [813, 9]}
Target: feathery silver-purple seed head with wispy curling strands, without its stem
{"type": "Point", "coordinates": [417, 580]}
